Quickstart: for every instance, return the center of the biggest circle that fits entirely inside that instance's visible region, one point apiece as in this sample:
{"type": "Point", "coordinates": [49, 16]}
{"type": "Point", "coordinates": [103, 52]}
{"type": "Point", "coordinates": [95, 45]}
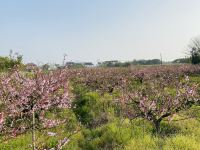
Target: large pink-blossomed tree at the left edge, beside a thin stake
{"type": "Point", "coordinates": [24, 96]}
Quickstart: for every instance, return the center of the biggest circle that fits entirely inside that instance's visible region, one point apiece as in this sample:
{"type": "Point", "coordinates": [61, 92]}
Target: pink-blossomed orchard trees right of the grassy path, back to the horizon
{"type": "Point", "coordinates": [153, 93]}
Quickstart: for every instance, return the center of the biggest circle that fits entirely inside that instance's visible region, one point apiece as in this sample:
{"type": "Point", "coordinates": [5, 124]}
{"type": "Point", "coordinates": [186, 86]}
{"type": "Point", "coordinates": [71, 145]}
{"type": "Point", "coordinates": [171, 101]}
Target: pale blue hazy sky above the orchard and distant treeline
{"type": "Point", "coordinates": [97, 30]}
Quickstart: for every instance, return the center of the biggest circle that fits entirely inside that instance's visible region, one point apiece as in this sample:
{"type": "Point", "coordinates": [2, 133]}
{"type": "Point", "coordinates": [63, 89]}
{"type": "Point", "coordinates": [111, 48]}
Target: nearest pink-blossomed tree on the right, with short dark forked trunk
{"type": "Point", "coordinates": [158, 98]}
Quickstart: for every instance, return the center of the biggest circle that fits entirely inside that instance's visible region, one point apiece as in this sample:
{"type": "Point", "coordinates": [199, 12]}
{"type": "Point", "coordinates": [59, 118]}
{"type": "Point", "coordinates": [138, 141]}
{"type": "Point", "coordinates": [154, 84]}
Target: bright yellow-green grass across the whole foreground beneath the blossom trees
{"type": "Point", "coordinates": [129, 135]}
